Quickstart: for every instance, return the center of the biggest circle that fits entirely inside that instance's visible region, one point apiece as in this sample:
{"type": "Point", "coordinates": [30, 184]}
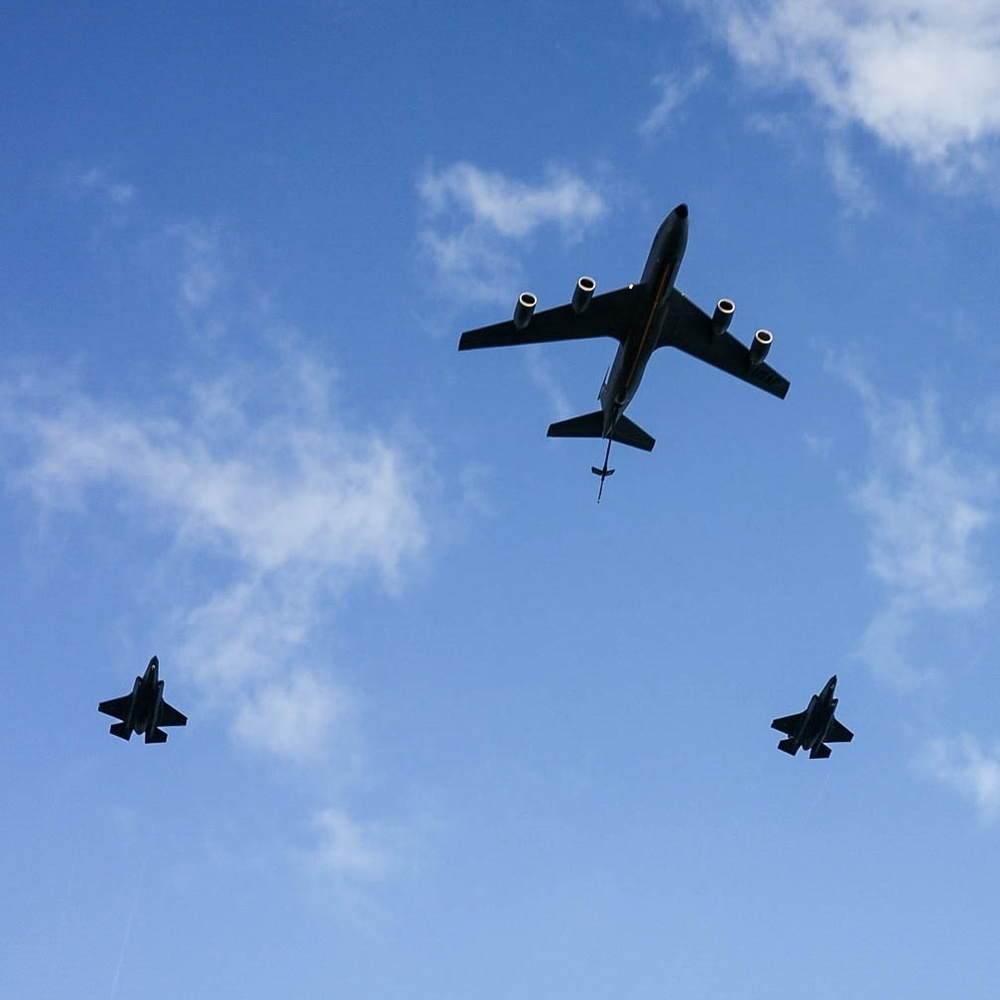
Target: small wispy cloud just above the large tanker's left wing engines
{"type": "Point", "coordinates": [476, 218]}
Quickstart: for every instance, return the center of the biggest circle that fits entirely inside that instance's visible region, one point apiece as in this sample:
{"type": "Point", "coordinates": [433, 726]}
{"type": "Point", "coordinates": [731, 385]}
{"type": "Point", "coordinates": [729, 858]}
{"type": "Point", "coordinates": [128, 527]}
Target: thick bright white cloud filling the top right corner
{"type": "Point", "coordinates": [923, 76]}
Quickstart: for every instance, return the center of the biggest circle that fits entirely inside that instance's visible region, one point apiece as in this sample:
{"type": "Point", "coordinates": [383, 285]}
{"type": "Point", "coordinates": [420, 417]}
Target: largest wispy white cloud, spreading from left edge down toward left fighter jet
{"type": "Point", "coordinates": [287, 505]}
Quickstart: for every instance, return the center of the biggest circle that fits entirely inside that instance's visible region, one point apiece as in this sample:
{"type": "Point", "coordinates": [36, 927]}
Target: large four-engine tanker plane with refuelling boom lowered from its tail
{"type": "Point", "coordinates": [643, 316]}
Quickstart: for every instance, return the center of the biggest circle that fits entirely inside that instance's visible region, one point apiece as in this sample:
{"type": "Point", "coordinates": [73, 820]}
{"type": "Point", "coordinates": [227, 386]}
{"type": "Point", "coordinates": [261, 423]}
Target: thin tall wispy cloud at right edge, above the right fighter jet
{"type": "Point", "coordinates": [926, 504]}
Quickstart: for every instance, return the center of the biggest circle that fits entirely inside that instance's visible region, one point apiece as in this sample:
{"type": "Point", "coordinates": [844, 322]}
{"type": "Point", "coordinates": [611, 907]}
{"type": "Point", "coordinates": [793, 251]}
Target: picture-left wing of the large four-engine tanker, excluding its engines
{"type": "Point", "coordinates": [607, 315]}
